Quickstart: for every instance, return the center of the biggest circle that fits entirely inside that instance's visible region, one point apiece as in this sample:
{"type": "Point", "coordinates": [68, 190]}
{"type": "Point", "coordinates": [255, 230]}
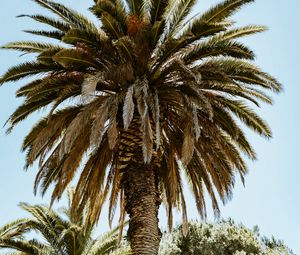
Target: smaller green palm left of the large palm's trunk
{"type": "Point", "coordinates": [61, 234]}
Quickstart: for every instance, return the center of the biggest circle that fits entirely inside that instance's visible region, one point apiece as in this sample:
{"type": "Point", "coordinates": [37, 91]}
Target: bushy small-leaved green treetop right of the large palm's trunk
{"type": "Point", "coordinates": [224, 237]}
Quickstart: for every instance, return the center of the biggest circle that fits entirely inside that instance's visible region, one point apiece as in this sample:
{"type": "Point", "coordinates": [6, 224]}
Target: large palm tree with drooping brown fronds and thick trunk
{"type": "Point", "coordinates": [135, 101]}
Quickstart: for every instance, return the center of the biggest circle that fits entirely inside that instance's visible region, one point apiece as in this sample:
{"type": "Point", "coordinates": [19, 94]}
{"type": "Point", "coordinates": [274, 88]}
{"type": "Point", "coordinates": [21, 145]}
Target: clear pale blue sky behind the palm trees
{"type": "Point", "coordinates": [271, 196]}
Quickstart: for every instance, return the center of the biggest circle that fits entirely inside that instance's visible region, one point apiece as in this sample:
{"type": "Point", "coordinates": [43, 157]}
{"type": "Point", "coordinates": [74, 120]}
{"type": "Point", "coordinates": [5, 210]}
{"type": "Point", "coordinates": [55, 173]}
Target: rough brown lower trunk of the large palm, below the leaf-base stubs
{"type": "Point", "coordinates": [142, 203]}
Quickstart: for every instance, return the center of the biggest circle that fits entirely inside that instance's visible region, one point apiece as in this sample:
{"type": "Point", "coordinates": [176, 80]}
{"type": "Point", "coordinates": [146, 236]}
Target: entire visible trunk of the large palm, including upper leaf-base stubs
{"type": "Point", "coordinates": [142, 200]}
